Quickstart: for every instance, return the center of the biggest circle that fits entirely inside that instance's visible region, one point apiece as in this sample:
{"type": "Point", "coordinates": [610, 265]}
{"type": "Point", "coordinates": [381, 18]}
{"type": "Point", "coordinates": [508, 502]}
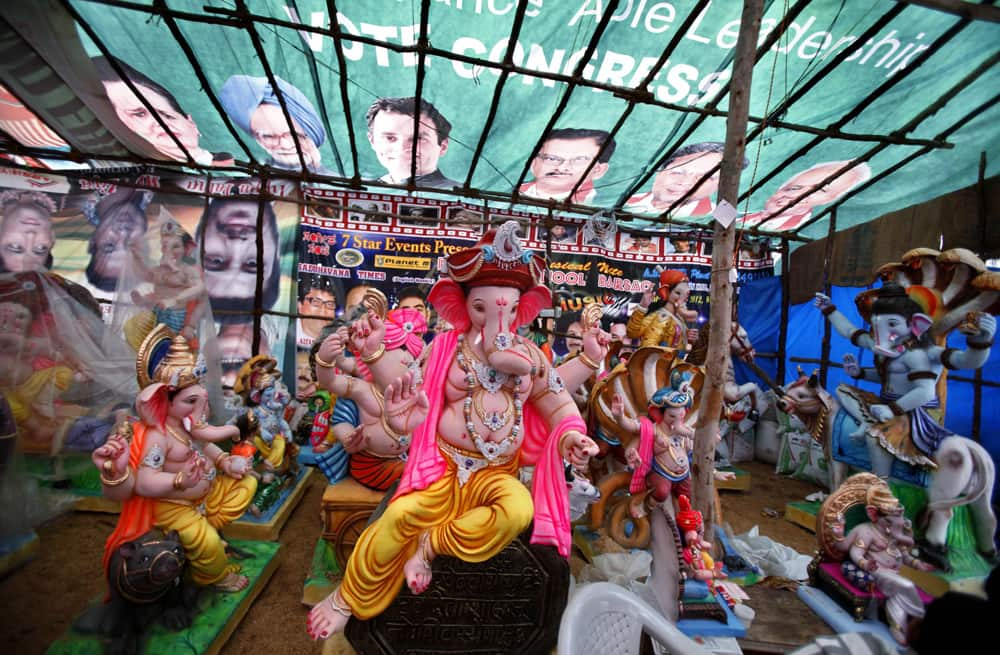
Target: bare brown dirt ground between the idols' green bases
{"type": "Point", "coordinates": [40, 599]}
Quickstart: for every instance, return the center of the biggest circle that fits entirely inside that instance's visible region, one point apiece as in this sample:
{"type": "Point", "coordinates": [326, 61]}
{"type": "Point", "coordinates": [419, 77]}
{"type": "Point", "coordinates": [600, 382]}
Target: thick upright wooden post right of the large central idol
{"type": "Point", "coordinates": [720, 317]}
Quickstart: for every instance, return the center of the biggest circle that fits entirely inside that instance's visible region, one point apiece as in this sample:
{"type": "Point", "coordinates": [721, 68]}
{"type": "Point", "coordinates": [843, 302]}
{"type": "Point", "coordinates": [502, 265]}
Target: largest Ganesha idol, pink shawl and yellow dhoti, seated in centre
{"type": "Point", "coordinates": [489, 403]}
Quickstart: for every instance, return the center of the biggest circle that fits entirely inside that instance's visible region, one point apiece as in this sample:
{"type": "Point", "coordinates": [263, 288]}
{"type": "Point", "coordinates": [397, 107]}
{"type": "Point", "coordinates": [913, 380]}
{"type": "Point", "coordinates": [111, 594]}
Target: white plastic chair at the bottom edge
{"type": "Point", "coordinates": [605, 619]}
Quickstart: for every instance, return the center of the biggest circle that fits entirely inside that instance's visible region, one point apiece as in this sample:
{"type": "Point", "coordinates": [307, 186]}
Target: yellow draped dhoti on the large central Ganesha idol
{"type": "Point", "coordinates": [472, 521]}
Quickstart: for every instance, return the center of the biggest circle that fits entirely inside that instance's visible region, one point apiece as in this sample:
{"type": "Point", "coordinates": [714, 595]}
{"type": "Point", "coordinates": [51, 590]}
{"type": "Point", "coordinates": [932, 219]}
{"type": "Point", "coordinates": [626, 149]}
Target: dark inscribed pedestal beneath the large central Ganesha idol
{"type": "Point", "coordinates": [510, 604]}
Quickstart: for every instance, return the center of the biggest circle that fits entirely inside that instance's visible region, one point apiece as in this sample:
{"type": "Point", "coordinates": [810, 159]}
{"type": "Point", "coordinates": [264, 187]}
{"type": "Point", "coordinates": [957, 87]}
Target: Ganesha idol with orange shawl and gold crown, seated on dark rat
{"type": "Point", "coordinates": [167, 469]}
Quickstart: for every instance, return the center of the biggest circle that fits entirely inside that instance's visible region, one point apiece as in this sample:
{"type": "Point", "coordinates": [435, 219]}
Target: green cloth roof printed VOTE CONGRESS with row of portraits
{"type": "Point", "coordinates": [575, 104]}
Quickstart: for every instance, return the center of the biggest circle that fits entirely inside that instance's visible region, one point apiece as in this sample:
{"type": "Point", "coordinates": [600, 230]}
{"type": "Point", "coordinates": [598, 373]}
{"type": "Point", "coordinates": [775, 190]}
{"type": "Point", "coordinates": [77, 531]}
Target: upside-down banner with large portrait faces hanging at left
{"type": "Point", "coordinates": [144, 242]}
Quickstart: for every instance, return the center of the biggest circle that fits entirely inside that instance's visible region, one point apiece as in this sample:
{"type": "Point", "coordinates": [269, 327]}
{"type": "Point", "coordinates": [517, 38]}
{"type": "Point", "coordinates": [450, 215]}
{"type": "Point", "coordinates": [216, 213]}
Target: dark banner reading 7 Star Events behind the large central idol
{"type": "Point", "coordinates": [353, 241]}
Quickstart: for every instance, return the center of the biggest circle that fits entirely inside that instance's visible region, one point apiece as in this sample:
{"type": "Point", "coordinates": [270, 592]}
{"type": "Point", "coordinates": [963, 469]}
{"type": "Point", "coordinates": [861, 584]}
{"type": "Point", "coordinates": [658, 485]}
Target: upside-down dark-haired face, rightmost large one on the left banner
{"type": "Point", "coordinates": [230, 241]}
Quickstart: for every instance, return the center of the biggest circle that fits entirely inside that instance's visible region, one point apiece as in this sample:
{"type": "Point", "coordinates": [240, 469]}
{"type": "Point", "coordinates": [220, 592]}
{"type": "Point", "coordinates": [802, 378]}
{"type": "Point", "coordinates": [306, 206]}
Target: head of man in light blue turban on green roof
{"type": "Point", "coordinates": [253, 105]}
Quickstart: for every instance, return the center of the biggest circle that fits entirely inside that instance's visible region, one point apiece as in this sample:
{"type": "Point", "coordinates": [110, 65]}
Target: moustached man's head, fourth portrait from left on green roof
{"type": "Point", "coordinates": [561, 161]}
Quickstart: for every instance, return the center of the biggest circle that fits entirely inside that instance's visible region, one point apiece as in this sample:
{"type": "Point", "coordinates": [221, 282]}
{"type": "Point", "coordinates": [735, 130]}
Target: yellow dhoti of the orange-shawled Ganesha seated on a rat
{"type": "Point", "coordinates": [198, 522]}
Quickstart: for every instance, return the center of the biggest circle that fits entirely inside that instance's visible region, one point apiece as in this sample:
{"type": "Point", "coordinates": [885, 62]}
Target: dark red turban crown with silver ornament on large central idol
{"type": "Point", "coordinates": [498, 259]}
